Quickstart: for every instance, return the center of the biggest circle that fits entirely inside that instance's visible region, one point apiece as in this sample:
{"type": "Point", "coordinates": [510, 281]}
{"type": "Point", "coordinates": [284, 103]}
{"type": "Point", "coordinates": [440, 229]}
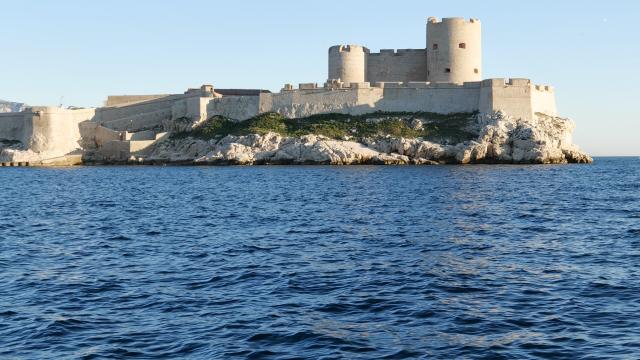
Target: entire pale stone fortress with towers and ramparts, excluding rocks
{"type": "Point", "coordinates": [445, 77]}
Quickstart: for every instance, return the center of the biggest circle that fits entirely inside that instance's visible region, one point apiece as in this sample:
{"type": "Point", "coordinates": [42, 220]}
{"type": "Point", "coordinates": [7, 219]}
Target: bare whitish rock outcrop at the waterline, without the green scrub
{"type": "Point", "coordinates": [500, 139]}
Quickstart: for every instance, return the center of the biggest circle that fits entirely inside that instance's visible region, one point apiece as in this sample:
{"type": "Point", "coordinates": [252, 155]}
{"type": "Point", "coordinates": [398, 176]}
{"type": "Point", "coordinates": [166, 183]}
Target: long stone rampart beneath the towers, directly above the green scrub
{"type": "Point", "coordinates": [516, 97]}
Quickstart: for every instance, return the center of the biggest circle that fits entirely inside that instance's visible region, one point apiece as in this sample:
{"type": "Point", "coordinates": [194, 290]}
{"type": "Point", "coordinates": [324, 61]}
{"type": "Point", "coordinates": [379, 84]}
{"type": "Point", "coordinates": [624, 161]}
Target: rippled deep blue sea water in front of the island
{"type": "Point", "coordinates": [360, 262]}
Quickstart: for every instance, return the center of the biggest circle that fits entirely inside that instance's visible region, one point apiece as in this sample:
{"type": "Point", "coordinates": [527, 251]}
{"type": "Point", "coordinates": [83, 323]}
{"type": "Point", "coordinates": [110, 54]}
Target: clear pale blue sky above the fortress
{"type": "Point", "coordinates": [79, 52]}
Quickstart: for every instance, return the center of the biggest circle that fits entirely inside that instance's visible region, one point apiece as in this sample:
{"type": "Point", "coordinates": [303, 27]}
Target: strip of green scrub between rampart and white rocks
{"type": "Point", "coordinates": [435, 127]}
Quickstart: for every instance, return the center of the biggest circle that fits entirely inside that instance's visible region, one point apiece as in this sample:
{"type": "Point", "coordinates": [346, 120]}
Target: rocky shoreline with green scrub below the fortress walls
{"type": "Point", "coordinates": [335, 139]}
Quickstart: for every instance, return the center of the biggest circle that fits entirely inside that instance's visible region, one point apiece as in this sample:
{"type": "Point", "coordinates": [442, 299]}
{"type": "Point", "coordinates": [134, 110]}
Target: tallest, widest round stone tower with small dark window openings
{"type": "Point", "coordinates": [454, 50]}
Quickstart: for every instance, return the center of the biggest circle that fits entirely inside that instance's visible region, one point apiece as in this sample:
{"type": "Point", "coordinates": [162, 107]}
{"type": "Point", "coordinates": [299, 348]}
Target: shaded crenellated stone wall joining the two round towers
{"type": "Point", "coordinates": [401, 65]}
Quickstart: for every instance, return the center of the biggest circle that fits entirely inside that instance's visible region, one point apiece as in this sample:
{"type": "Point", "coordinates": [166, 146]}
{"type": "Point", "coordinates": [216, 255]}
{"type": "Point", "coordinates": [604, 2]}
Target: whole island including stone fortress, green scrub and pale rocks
{"type": "Point", "coordinates": [408, 106]}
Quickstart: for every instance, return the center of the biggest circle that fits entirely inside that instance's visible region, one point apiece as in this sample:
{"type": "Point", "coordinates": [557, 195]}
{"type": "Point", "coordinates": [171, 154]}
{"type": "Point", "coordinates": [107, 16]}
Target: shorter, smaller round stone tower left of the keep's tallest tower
{"type": "Point", "coordinates": [348, 63]}
